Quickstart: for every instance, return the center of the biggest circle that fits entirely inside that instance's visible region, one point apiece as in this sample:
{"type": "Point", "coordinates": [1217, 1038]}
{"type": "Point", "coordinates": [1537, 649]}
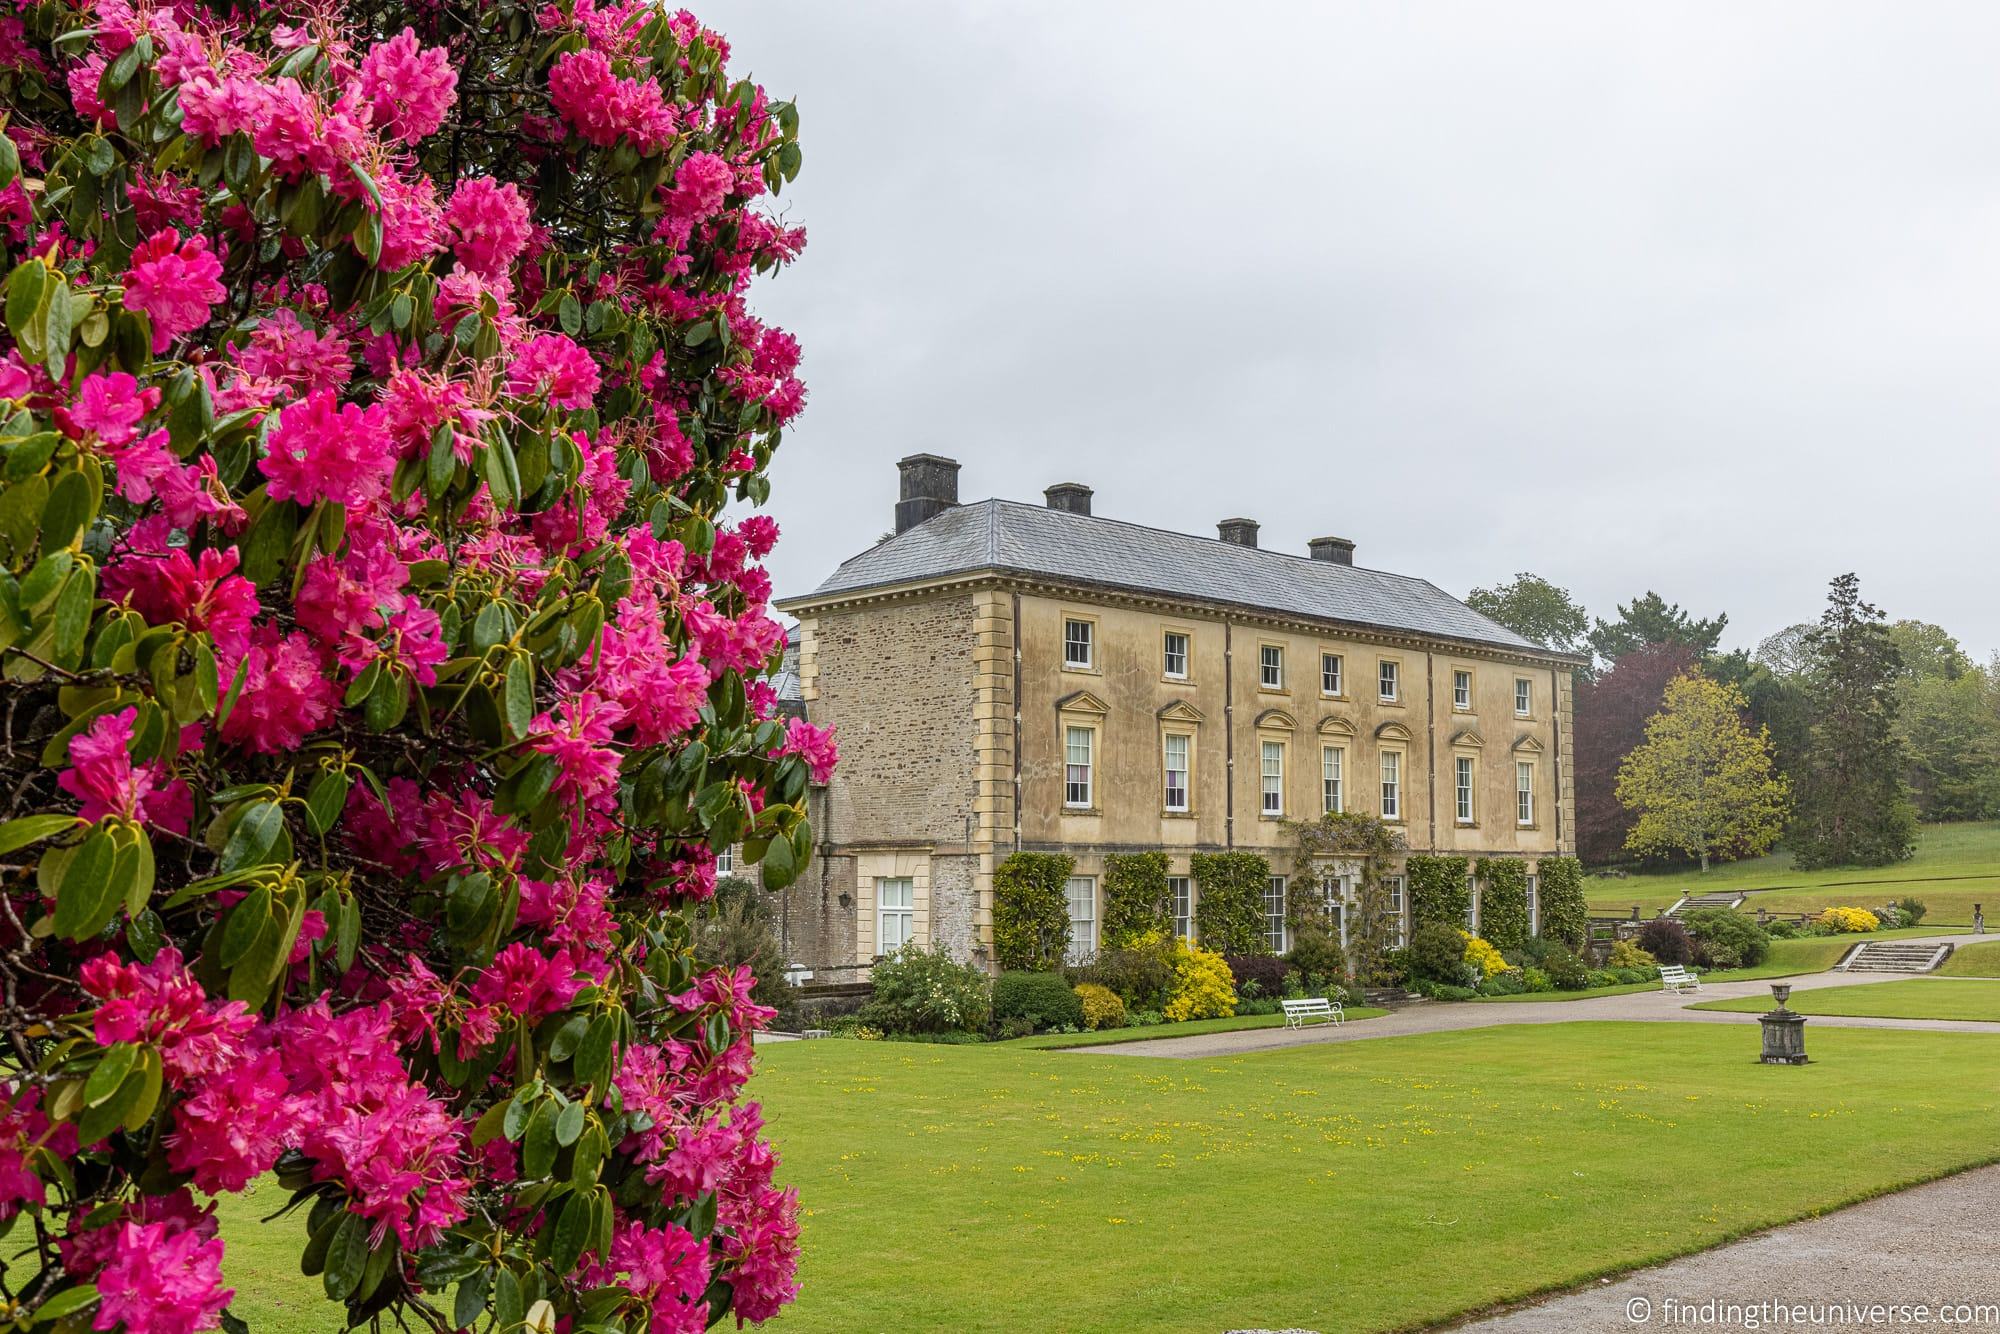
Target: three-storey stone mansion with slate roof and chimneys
{"type": "Point", "coordinates": [1011, 677]}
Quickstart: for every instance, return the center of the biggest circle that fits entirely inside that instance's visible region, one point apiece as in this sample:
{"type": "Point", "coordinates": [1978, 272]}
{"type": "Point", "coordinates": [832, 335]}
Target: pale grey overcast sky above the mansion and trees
{"type": "Point", "coordinates": [1697, 299]}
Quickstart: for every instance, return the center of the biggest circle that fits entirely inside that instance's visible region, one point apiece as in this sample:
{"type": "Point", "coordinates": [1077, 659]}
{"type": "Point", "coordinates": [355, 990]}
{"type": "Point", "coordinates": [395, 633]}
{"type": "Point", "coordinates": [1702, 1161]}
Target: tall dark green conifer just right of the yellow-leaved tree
{"type": "Point", "coordinates": [1853, 801]}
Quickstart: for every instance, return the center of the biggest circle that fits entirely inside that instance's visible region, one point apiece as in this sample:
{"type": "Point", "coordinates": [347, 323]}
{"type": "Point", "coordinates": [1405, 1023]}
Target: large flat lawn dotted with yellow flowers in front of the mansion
{"type": "Point", "coordinates": [1337, 1187]}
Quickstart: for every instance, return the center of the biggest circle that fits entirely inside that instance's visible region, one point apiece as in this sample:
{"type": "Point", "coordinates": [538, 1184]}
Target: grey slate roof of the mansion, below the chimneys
{"type": "Point", "coordinates": [1083, 549]}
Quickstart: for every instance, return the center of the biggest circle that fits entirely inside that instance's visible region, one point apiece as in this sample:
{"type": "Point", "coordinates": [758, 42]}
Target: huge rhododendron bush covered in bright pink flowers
{"type": "Point", "coordinates": [383, 645]}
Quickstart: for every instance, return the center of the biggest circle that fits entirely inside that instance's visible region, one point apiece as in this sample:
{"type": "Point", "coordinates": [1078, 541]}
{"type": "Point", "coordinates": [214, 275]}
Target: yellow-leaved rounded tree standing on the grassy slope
{"type": "Point", "coordinates": [1701, 783]}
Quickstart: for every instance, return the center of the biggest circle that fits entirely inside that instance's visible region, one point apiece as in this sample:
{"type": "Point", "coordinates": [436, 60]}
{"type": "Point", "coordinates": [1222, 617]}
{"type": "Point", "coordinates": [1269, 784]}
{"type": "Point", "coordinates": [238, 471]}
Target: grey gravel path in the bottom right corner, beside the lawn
{"type": "Point", "coordinates": [1931, 1247]}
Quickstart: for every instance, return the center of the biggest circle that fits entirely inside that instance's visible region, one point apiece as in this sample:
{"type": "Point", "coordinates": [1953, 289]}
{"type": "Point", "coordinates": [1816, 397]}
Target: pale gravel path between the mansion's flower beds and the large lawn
{"type": "Point", "coordinates": [1441, 1017]}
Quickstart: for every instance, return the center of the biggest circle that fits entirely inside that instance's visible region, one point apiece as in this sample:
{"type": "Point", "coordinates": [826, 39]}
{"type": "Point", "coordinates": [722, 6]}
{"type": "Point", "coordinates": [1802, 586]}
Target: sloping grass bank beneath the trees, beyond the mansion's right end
{"type": "Point", "coordinates": [1971, 849]}
